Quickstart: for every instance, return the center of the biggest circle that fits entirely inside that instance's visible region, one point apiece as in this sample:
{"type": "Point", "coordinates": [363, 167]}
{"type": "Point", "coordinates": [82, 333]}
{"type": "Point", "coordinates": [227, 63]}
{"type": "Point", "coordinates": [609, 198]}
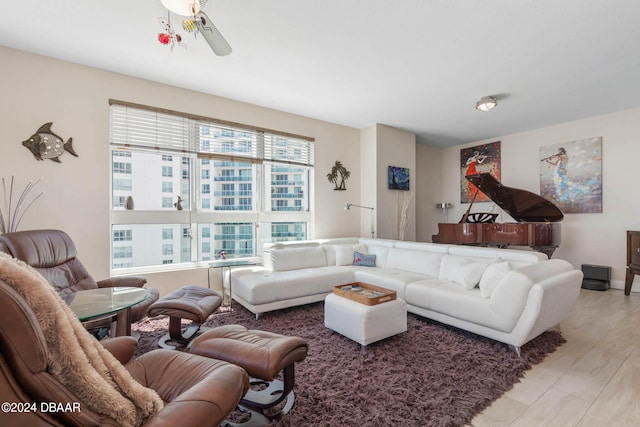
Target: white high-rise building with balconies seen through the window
{"type": "Point", "coordinates": [231, 201]}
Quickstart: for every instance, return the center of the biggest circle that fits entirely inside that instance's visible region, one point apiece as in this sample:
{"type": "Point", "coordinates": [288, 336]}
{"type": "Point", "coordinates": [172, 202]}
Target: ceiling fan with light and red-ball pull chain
{"type": "Point", "coordinates": [197, 22]}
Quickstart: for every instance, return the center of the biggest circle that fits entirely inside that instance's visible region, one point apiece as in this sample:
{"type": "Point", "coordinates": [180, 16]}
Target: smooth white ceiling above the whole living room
{"type": "Point", "coordinates": [418, 65]}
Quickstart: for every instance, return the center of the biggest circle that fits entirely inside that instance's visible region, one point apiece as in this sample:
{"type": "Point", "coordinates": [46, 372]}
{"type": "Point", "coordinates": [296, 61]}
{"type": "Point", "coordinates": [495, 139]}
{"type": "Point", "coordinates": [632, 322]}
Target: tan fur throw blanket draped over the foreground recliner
{"type": "Point", "coordinates": [75, 357]}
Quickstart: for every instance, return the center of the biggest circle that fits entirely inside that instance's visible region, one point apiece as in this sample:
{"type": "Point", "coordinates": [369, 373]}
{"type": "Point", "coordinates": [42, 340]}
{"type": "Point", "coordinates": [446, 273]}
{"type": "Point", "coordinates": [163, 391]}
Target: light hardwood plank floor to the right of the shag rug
{"type": "Point", "coordinates": [593, 380]}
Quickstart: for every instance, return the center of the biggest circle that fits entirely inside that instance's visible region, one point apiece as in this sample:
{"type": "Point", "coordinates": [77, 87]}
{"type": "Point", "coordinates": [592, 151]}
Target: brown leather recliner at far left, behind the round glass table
{"type": "Point", "coordinates": [53, 254]}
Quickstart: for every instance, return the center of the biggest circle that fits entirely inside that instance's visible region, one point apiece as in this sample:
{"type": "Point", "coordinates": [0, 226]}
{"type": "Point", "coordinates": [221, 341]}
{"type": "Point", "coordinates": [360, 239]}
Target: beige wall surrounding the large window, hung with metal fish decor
{"type": "Point", "coordinates": [35, 90]}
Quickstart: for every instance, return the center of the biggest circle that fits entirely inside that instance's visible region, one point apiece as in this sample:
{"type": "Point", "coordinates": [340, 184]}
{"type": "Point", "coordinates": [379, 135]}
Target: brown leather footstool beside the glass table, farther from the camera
{"type": "Point", "coordinates": [189, 302]}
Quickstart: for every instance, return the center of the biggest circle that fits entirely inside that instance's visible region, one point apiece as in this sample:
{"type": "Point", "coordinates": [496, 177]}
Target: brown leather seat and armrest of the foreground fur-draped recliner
{"type": "Point", "coordinates": [197, 390]}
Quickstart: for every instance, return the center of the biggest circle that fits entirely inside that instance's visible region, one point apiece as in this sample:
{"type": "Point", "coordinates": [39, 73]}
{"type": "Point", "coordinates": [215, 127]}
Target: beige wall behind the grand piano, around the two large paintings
{"type": "Point", "coordinates": [586, 238]}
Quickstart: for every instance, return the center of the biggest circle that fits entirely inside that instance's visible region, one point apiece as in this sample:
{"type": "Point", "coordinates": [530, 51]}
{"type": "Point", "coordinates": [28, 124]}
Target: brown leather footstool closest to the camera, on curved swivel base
{"type": "Point", "coordinates": [263, 355]}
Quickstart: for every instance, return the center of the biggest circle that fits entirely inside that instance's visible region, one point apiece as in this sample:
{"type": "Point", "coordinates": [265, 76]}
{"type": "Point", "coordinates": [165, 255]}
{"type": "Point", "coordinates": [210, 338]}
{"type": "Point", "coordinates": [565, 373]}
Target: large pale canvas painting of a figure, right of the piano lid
{"type": "Point", "coordinates": [571, 175]}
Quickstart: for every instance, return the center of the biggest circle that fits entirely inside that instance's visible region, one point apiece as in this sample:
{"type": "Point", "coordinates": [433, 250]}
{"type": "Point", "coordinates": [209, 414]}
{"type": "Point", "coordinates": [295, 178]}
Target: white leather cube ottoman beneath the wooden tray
{"type": "Point", "coordinates": [365, 323]}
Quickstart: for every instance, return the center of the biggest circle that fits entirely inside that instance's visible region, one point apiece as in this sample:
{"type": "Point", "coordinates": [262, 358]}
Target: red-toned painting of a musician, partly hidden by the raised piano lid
{"type": "Point", "coordinates": [474, 160]}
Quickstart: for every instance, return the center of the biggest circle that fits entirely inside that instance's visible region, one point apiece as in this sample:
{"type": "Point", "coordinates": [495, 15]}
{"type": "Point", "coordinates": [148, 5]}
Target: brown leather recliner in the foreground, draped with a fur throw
{"type": "Point", "coordinates": [196, 390]}
